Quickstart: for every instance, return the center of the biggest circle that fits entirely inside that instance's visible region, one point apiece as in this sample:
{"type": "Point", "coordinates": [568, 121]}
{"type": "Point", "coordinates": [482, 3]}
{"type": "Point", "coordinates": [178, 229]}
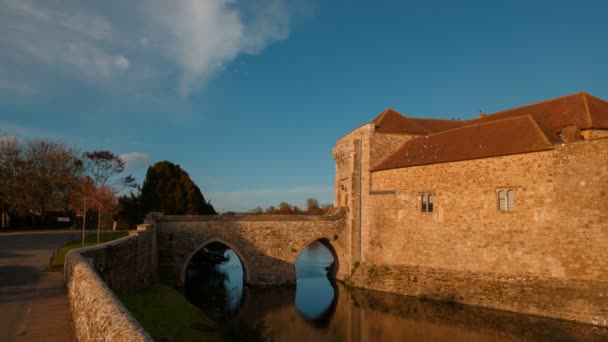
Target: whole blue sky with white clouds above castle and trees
{"type": "Point", "coordinates": [250, 98]}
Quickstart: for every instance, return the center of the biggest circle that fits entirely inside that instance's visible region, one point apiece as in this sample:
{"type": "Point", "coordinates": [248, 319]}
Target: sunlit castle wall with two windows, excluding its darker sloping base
{"type": "Point", "coordinates": [558, 227]}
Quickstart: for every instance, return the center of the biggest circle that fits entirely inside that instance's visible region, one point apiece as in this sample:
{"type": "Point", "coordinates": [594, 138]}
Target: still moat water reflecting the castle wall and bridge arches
{"type": "Point", "coordinates": [318, 309]}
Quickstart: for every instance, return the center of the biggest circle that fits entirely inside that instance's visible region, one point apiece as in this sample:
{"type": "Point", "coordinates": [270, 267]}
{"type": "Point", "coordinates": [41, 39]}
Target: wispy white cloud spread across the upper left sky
{"type": "Point", "coordinates": [189, 41]}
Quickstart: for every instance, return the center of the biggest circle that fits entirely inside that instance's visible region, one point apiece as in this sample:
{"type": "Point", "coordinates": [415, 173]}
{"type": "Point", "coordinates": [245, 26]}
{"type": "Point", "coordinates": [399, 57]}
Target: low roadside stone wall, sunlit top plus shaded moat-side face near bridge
{"type": "Point", "coordinates": [92, 273]}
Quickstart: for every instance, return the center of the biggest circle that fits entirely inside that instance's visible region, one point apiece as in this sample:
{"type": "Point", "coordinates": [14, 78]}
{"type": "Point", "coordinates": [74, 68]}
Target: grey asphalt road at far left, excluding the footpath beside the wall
{"type": "Point", "coordinates": [23, 257]}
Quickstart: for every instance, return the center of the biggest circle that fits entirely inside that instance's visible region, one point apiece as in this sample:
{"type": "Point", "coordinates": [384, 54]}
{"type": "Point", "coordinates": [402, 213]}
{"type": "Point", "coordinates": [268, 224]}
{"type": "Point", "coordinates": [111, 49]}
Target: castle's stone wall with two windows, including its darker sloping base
{"type": "Point", "coordinates": [550, 250]}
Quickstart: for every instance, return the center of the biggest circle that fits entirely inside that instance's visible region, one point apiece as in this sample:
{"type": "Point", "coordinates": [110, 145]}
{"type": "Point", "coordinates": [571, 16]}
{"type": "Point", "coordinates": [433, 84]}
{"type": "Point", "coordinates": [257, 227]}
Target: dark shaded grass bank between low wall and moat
{"type": "Point", "coordinates": [168, 316]}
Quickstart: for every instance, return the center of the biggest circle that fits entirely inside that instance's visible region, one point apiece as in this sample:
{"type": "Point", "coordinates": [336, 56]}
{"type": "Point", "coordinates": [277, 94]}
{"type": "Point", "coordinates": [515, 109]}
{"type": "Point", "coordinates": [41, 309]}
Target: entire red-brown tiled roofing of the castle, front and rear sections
{"type": "Point", "coordinates": [529, 128]}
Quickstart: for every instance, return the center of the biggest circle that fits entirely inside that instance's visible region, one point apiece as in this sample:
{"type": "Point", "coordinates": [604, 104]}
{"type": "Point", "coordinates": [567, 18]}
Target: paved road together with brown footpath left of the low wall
{"type": "Point", "coordinates": [33, 304]}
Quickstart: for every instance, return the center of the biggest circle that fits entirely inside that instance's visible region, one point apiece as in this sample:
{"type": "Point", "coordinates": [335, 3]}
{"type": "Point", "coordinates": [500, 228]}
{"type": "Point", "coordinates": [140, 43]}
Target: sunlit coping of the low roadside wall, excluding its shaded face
{"type": "Point", "coordinates": [103, 317]}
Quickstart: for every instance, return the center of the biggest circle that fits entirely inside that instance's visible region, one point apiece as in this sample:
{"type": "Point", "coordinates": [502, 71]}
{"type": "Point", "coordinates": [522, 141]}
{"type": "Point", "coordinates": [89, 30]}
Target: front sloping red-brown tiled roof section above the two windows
{"type": "Point", "coordinates": [495, 138]}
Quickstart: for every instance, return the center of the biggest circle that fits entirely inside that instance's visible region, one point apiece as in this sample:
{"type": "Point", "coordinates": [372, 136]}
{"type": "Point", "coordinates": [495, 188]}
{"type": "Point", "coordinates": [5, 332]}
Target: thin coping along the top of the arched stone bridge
{"type": "Point", "coordinates": [334, 215]}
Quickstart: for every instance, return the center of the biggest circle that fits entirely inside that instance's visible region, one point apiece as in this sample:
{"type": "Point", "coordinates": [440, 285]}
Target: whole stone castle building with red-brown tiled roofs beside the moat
{"type": "Point", "coordinates": [464, 210]}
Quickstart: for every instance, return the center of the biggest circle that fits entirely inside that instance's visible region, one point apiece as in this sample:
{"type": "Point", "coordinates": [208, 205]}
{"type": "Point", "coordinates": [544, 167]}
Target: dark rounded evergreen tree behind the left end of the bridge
{"type": "Point", "coordinates": [169, 189]}
